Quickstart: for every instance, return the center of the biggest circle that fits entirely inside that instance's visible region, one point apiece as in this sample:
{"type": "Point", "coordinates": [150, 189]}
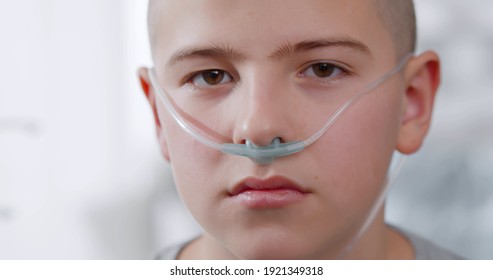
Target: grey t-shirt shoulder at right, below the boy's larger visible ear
{"type": "Point", "coordinates": [426, 250]}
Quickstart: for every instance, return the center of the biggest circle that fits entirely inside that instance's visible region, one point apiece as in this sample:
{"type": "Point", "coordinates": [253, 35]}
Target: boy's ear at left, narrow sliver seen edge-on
{"type": "Point", "coordinates": [151, 97]}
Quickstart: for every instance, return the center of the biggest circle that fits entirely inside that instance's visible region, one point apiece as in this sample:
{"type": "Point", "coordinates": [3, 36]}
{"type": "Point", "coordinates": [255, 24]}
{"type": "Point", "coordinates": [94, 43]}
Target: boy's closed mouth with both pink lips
{"type": "Point", "coordinates": [273, 192]}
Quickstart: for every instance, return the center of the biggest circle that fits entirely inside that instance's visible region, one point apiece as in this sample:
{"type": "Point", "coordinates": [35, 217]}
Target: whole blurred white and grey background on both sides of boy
{"type": "Point", "coordinates": [81, 175]}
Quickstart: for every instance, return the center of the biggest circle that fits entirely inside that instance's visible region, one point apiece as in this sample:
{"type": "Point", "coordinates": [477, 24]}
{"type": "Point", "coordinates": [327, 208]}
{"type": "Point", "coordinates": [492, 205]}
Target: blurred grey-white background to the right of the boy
{"type": "Point", "coordinates": [445, 192]}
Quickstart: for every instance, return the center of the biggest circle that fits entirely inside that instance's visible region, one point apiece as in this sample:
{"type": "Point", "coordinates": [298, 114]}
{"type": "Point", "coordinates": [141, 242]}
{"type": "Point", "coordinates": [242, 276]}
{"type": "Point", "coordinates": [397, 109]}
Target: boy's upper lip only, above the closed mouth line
{"type": "Point", "coordinates": [268, 184]}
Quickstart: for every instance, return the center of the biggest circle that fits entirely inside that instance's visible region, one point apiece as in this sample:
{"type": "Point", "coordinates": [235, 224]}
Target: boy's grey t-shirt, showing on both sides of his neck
{"type": "Point", "coordinates": [423, 249]}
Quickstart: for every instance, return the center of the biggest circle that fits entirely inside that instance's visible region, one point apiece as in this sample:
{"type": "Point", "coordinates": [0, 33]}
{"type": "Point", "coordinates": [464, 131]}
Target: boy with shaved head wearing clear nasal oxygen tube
{"type": "Point", "coordinates": [263, 77]}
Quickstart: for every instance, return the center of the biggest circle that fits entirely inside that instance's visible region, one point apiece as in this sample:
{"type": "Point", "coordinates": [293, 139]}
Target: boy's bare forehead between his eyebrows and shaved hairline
{"type": "Point", "coordinates": [257, 27]}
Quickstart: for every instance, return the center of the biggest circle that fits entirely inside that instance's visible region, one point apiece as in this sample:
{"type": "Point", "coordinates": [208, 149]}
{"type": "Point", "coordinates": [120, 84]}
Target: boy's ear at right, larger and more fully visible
{"type": "Point", "coordinates": [422, 78]}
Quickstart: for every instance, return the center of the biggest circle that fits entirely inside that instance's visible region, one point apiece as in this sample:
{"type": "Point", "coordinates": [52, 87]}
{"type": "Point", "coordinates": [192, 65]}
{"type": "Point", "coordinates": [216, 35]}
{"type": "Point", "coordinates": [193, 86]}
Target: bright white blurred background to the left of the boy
{"type": "Point", "coordinates": [78, 165]}
